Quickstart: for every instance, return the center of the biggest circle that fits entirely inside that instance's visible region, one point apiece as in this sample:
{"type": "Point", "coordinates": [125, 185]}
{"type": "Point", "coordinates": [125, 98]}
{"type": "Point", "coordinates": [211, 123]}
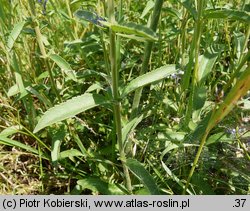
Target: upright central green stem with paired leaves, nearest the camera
{"type": "Point", "coordinates": [116, 97]}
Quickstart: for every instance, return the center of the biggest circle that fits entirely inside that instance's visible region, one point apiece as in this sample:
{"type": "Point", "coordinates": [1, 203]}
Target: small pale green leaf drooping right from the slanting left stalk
{"type": "Point", "coordinates": [65, 67]}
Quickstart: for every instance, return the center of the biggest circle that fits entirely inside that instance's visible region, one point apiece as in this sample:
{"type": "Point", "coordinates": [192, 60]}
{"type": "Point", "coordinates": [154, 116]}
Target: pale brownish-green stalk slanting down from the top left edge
{"type": "Point", "coordinates": [42, 49]}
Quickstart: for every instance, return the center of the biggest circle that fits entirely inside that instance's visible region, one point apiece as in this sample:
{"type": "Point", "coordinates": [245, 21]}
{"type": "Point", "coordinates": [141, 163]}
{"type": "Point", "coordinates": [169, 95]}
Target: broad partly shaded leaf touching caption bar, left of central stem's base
{"type": "Point", "coordinates": [97, 185]}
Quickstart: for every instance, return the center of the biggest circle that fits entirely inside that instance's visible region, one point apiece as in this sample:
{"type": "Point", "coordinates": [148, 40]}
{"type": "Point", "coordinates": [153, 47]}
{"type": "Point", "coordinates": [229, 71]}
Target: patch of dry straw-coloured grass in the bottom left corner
{"type": "Point", "coordinates": [18, 172]}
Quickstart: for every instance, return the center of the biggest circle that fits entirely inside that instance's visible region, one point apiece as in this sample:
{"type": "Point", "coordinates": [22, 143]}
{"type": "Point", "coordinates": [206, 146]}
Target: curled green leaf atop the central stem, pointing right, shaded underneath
{"type": "Point", "coordinates": [132, 29]}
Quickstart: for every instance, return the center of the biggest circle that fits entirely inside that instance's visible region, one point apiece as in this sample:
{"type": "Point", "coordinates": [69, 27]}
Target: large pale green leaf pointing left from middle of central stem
{"type": "Point", "coordinates": [69, 109]}
